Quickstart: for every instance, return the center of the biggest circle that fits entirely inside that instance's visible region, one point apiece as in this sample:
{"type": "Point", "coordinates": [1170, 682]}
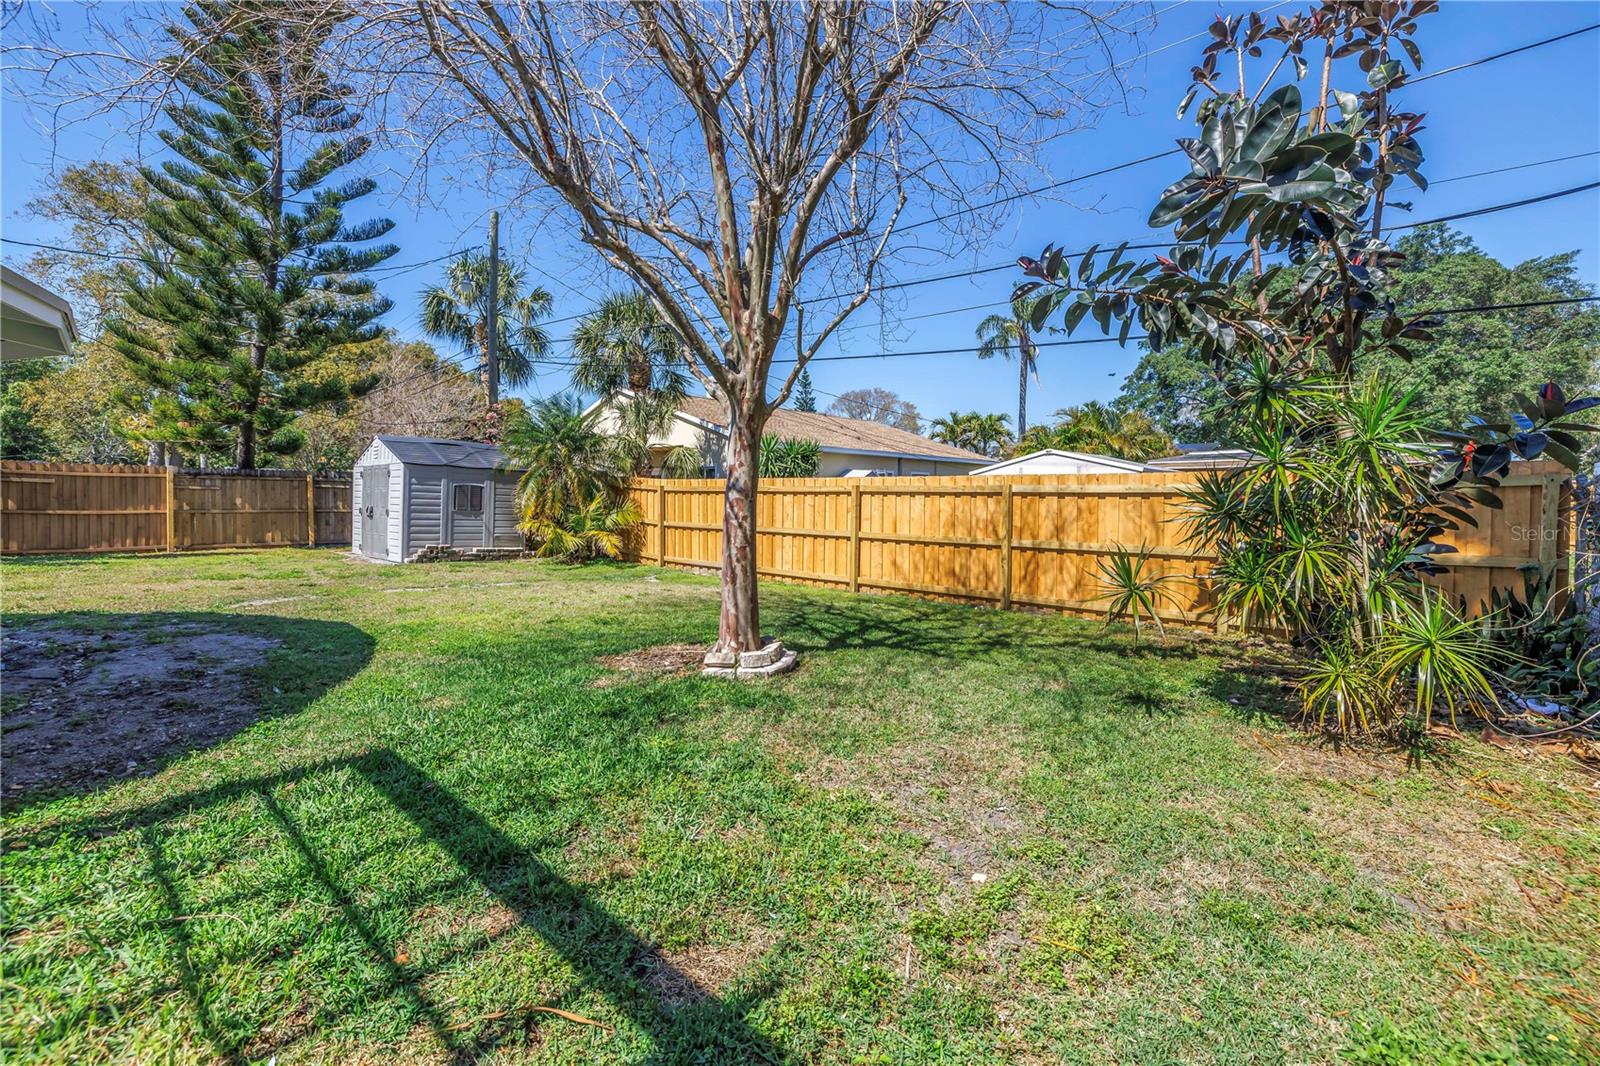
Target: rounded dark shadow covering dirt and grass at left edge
{"type": "Point", "coordinates": [97, 697]}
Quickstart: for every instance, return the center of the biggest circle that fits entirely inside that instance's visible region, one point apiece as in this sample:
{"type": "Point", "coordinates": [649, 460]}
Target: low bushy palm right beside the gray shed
{"type": "Point", "coordinates": [566, 460]}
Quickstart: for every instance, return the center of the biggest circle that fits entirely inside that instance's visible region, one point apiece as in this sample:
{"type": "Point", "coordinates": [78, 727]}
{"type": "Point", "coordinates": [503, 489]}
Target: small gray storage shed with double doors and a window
{"type": "Point", "coordinates": [410, 494]}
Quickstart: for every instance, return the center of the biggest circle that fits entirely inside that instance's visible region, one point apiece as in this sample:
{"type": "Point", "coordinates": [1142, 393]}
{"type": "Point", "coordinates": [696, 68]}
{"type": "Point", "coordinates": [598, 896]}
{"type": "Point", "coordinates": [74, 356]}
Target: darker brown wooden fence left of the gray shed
{"type": "Point", "coordinates": [78, 508]}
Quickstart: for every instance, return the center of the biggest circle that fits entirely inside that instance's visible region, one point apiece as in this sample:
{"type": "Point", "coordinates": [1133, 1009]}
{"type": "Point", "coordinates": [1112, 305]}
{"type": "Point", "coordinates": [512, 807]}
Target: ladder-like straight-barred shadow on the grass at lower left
{"type": "Point", "coordinates": [609, 958]}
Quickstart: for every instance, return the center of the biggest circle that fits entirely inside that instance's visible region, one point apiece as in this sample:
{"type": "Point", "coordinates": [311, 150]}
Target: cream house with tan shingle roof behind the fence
{"type": "Point", "coordinates": [849, 447]}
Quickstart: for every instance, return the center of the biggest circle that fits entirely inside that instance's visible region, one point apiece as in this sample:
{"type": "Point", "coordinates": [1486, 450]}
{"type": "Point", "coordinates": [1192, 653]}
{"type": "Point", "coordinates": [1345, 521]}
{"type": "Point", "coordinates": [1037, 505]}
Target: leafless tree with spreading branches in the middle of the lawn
{"type": "Point", "coordinates": [738, 159]}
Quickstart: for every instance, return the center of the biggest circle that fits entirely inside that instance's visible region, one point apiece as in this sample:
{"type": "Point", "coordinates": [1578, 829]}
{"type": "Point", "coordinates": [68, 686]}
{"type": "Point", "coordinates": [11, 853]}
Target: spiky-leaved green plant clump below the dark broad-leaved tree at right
{"type": "Point", "coordinates": [1329, 539]}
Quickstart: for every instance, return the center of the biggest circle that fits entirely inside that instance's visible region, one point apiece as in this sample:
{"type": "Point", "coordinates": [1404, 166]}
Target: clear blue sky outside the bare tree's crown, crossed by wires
{"type": "Point", "coordinates": [1532, 108]}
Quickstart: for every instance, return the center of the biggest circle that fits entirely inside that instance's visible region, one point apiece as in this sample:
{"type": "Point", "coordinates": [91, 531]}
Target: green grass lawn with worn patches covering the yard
{"type": "Point", "coordinates": [951, 836]}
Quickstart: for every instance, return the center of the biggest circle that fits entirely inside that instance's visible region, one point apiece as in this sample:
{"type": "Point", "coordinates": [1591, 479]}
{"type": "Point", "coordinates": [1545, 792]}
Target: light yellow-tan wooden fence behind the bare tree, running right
{"type": "Point", "coordinates": [1034, 540]}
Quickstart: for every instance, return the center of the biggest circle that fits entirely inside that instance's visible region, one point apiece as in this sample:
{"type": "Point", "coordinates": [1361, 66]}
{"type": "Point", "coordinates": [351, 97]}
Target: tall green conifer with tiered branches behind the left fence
{"type": "Point", "coordinates": [257, 276]}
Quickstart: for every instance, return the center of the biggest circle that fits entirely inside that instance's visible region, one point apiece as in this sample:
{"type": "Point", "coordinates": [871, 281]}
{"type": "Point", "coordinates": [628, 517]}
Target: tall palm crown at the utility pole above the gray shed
{"type": "Point", "coordinates": [460, 313]}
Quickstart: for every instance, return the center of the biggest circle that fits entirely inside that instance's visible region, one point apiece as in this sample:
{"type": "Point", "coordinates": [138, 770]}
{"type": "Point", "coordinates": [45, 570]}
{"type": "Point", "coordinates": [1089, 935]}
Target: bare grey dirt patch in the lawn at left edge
{"type": "Point", "coordinates": [84, 707]}
